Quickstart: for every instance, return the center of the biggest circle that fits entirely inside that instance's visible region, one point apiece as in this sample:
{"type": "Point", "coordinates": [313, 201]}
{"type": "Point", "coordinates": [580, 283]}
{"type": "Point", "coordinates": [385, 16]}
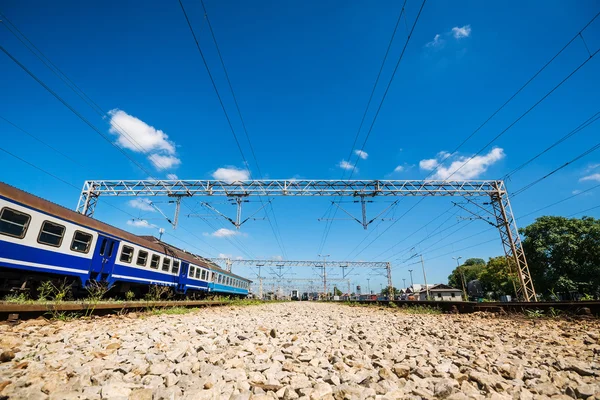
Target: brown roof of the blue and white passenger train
{"type": "Point", "coordinates": [48, 207]}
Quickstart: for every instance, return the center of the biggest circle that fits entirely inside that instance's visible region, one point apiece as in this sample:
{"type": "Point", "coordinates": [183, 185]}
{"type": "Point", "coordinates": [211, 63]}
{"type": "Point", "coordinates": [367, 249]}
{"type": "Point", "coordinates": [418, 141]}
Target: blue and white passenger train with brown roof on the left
{"type": "Point", "coordinates": [40, 240]}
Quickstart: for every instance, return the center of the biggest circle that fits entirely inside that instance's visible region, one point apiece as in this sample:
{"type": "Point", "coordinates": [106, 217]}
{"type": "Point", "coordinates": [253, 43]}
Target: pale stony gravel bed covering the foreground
{"type": "Point", "coordinates": [303, 351]}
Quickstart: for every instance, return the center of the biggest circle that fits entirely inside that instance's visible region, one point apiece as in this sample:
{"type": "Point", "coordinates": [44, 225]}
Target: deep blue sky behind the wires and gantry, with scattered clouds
{"type": "Point", "coordinates": [302, 73]}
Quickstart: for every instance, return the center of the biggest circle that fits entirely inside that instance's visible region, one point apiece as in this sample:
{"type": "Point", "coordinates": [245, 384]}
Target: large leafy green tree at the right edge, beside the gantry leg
{"type": "Point", "coordinates": [564, 254]}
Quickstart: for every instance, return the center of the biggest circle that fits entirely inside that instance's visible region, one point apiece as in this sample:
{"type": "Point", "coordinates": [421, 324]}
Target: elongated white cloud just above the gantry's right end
{"type": "Point", "coordinates": [473, 168]}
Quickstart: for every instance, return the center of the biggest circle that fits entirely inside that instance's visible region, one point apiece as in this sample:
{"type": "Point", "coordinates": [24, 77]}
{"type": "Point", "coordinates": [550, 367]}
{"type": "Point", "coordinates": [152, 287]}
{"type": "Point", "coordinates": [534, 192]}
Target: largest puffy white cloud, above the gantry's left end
{"type": "Point", "coordinates": [136, 135]}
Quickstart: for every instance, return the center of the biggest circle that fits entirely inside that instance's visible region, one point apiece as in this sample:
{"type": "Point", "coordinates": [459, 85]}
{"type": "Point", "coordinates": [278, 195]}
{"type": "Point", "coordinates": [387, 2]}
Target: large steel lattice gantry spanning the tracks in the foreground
{"type": "Point", "coordinates": [495, 190]}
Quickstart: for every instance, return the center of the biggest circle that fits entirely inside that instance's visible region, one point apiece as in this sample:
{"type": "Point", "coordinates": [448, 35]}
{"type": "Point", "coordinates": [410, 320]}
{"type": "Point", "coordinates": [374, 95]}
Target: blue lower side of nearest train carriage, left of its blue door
{"type": "Point", "coordinates": [48, 261]}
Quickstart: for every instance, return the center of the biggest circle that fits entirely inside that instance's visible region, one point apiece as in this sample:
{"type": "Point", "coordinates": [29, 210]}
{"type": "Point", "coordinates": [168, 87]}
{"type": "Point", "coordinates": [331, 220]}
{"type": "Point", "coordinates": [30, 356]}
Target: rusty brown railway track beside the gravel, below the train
{"type": "Point", "coordinates": [15, 311]}
